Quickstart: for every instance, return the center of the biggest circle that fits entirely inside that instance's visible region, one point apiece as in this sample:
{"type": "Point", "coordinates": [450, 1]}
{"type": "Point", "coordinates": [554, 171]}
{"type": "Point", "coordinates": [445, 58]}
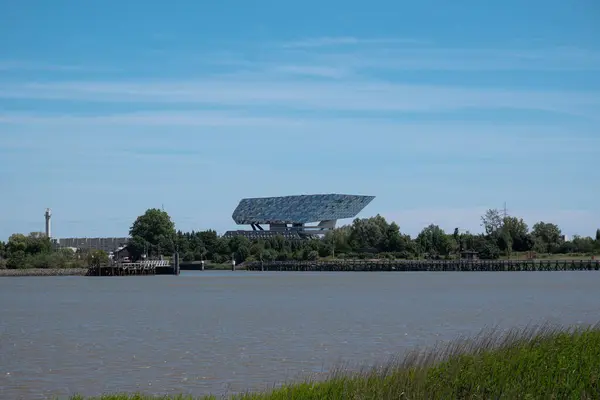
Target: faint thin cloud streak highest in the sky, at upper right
{"type": "Point", "coordinates": [409, 54]}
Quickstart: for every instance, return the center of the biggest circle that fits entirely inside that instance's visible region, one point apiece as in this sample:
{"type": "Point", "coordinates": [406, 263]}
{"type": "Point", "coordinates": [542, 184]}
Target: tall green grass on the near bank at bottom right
{"type": "Point", "coordinates": [537, 363]}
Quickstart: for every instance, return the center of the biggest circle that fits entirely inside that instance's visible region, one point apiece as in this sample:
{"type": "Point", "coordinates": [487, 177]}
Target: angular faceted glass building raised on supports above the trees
{"type": "Point", "coordinates": [289, 215]}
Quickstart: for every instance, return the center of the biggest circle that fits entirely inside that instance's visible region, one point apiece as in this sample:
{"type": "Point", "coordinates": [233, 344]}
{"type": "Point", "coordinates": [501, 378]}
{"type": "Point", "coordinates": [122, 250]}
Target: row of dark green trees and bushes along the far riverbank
{"type": "Point", "coordinates": [153, 234]}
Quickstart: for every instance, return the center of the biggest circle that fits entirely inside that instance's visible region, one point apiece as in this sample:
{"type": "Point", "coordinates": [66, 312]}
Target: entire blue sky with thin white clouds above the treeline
{"type": "Point", "coordinates": [440, 109]}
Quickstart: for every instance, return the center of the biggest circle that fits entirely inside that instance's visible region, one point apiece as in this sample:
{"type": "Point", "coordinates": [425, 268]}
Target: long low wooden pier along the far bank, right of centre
{"type": "Point", "coordinates": [426, 265]}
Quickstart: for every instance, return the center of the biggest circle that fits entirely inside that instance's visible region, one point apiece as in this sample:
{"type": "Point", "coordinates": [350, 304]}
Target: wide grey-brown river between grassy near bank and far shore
{"type": "Point", "coordinates": [224, 332]}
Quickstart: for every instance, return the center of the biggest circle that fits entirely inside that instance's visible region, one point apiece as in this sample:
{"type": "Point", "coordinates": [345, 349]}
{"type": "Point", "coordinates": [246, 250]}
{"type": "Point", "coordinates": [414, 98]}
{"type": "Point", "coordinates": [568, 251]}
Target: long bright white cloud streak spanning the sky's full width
{"type": "Point", "coordinates": [309, 95]}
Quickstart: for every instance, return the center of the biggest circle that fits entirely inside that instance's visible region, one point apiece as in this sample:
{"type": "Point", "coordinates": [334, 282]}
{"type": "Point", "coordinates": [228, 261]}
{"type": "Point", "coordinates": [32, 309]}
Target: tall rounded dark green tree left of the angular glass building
{"type": "Point", "coordinates": [152, 232]}
